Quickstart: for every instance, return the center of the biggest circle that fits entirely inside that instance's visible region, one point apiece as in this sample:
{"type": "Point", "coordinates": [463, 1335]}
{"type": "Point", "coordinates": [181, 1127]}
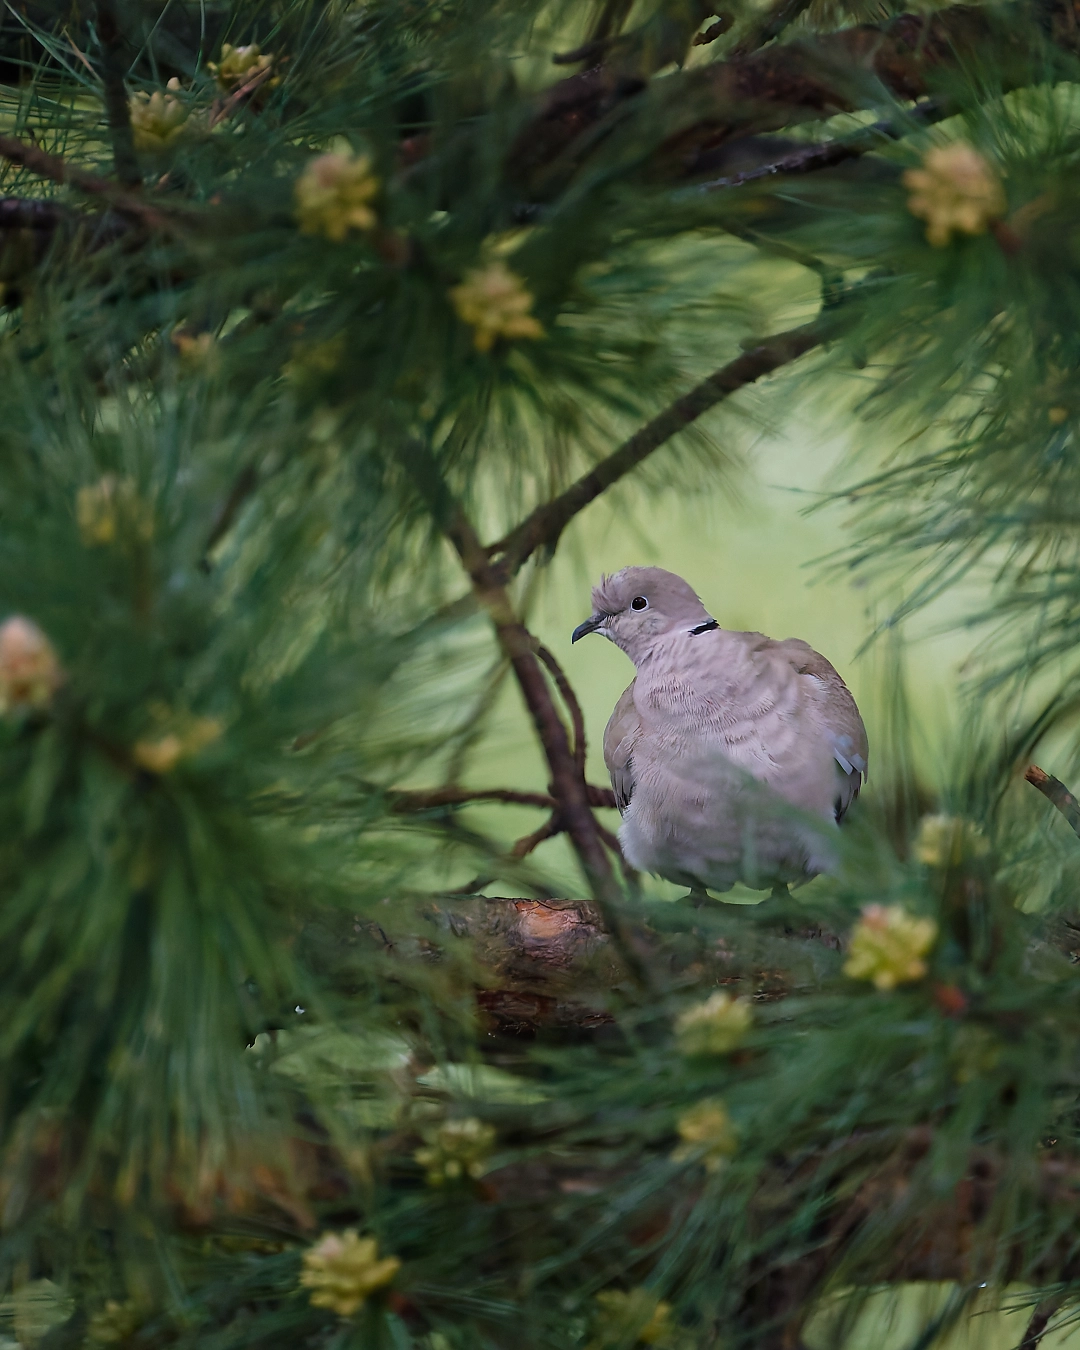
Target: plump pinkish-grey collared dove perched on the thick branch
{"type": "Point", "coordinates": [734, 758]}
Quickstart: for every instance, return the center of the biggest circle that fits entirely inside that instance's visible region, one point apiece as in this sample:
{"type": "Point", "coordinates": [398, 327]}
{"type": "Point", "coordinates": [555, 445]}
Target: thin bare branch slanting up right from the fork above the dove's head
{"type": "Point", "coordinates": [543, 527]}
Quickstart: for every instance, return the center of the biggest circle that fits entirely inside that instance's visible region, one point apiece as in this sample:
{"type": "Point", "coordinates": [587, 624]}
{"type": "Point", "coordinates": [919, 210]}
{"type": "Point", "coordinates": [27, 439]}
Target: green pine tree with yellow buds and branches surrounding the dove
{"type": "Point", "coordinates": [323, 322]}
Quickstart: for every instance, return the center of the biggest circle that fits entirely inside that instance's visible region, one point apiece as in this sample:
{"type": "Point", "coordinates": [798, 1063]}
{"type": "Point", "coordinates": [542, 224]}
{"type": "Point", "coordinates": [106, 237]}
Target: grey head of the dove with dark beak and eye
{"type": "Point", "coordinates": [639, 605]}
